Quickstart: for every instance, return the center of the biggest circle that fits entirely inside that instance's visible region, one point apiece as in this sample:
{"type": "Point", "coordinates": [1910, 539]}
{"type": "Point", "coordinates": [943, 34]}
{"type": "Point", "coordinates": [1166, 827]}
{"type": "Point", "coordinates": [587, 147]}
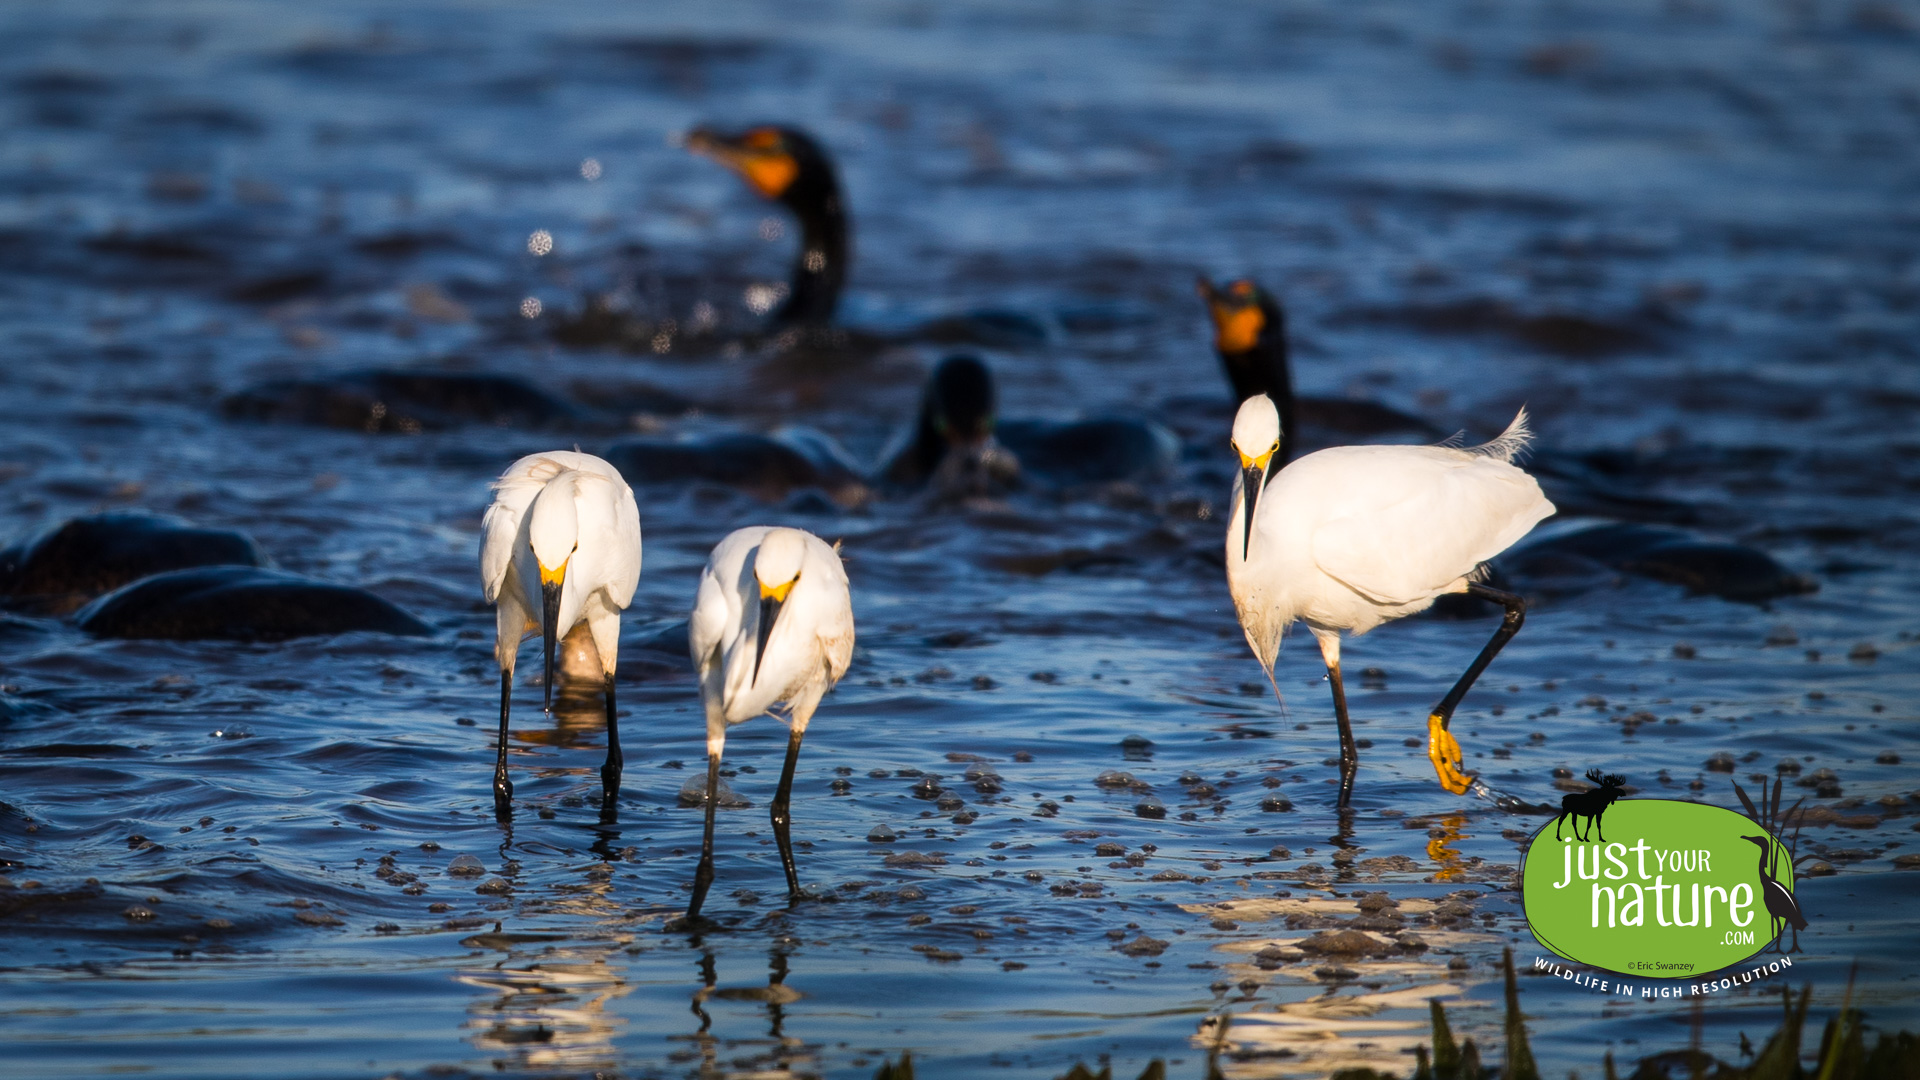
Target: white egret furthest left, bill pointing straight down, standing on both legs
{"type": "Point", "coordinates": [560, 547]}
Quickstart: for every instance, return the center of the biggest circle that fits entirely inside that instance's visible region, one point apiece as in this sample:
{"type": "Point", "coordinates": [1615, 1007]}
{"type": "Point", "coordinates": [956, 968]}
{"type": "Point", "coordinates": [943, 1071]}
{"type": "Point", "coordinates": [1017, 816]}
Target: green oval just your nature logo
{"type": "Point", "coordinates": [1675, 893]}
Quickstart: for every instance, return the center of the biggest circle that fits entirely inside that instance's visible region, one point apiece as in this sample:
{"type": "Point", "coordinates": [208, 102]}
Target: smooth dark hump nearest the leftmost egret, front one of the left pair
{"type": "Point", "coordinates": [241, 604]}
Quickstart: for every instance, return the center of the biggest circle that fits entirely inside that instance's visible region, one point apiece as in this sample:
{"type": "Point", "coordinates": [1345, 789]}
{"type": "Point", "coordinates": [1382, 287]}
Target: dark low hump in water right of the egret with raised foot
{"type": "Point", "coordinates": [1733, 572]}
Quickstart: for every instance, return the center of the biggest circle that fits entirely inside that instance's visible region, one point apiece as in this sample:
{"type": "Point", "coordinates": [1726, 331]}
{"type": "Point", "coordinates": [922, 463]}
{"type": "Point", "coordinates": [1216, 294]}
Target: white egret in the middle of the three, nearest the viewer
{"type": "Point", "coordinates": [773, 624]}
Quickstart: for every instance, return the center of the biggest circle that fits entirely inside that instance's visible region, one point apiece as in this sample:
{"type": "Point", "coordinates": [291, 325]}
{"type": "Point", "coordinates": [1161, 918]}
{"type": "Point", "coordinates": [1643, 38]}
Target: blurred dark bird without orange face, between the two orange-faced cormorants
{"type": "Point", "coordinates": [959, 445]}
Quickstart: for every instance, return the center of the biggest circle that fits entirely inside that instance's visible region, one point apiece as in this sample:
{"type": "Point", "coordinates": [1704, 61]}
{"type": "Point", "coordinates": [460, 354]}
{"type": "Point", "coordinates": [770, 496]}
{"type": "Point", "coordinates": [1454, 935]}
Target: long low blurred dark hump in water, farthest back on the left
{"type": "Point", "coordinates": [404, 403]}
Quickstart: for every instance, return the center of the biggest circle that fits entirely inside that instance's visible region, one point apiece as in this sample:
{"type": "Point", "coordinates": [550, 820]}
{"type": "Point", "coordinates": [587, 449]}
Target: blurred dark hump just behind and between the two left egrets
{"type": "Point", "coordinates": [765, 466]}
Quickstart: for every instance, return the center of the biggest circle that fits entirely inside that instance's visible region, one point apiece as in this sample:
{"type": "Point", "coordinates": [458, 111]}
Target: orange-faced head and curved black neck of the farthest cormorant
{"type": "Point", "coordinates": [786, 166]}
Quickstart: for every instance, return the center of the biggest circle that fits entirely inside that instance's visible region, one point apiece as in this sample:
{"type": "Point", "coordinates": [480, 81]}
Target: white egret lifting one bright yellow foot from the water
{"type": "Point", "coordinates": [1351, 537]}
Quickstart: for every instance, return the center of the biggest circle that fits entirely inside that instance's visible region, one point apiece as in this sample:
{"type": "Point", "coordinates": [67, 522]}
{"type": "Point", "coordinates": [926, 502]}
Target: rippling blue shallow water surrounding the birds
{"type": "Point", "coordinates": [197, 201]}
